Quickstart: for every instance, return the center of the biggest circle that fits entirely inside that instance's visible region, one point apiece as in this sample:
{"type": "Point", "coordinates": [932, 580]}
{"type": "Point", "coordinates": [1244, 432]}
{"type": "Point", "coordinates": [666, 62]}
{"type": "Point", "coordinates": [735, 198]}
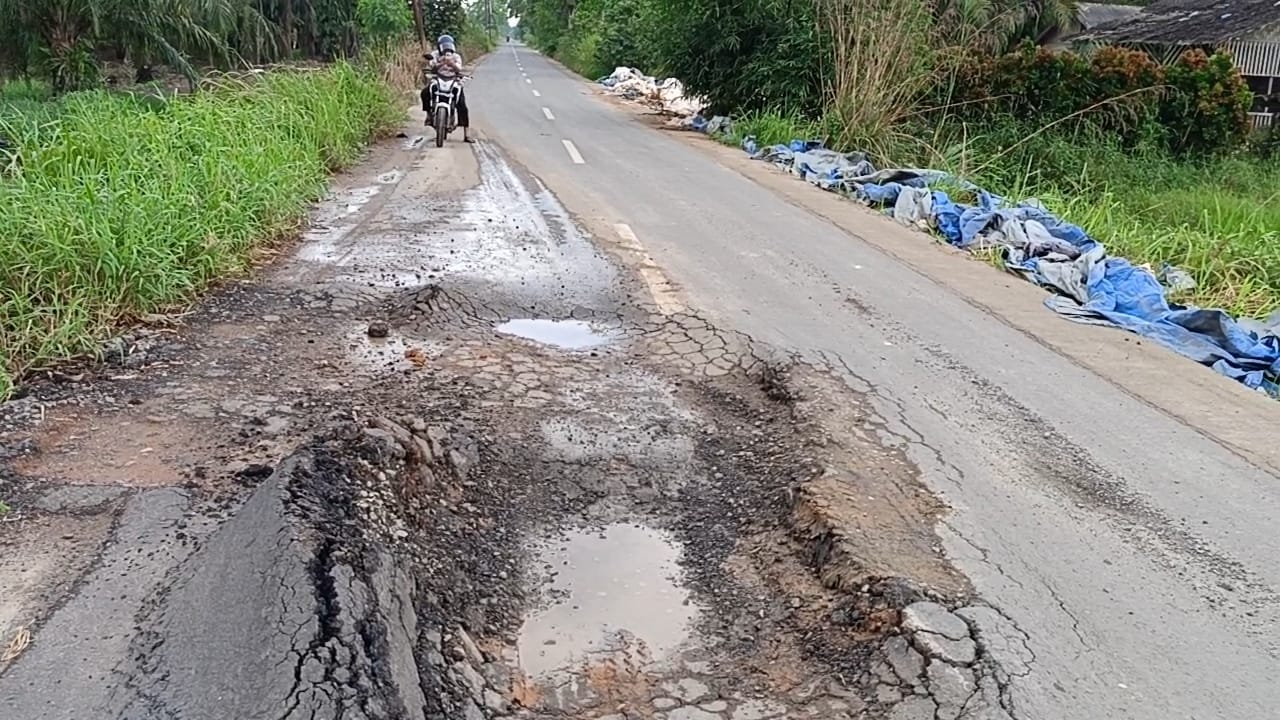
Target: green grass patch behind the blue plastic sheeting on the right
{"type": "Point", "coordinates": [1218, 218]}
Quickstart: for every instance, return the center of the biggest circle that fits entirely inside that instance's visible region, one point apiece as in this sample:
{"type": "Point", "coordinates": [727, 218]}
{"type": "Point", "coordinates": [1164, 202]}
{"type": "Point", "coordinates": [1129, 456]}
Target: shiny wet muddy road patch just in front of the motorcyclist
{"type": "Point", "coordinates": [508, 234]}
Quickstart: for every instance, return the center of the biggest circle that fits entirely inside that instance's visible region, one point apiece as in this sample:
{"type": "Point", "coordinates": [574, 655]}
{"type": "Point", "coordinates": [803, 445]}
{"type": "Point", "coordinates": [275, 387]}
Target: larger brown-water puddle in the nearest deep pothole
{"type": "Point", "coordinates": [607, 587]}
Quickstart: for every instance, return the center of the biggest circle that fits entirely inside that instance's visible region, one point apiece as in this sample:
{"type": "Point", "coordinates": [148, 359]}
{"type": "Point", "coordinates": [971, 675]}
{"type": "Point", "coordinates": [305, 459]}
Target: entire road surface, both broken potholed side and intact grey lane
{"type": "Point", "coordinates": [630, 431]}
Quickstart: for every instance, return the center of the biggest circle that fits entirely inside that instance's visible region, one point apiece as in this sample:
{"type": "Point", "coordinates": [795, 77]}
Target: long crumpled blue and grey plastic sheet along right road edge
{"type": "Point", "coordinates": [1087, 285]}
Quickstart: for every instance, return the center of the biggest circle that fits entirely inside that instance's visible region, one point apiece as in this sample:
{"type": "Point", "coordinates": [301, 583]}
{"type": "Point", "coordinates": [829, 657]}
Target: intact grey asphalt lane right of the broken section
{"type": "Point", "coordinates": [1112, 522]}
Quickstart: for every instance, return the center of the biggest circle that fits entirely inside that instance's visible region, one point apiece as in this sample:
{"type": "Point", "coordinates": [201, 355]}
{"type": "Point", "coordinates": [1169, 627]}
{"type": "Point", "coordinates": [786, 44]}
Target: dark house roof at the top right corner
{"type": "Point", "coordinates": [1190, 22]}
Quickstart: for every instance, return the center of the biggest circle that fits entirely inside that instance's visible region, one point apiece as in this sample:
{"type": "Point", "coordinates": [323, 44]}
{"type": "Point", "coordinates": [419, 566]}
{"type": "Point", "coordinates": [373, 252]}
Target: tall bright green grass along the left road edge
{"type": "Point", "coordinates": [122, 207]}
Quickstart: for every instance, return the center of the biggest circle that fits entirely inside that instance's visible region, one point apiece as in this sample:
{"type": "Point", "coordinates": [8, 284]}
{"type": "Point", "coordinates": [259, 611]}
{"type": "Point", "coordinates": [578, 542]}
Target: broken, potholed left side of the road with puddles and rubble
{"type": "Point", "coordinates": [515, 487]}
